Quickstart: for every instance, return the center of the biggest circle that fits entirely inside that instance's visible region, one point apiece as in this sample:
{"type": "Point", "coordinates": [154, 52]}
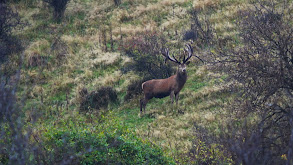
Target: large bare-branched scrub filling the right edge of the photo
{"type": "Point", "coordinates": [261, 70]}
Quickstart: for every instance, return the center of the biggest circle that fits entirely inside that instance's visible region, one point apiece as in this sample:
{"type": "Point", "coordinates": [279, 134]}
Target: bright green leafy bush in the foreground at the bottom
{"type": "Point", "coordinates": [105, 143]}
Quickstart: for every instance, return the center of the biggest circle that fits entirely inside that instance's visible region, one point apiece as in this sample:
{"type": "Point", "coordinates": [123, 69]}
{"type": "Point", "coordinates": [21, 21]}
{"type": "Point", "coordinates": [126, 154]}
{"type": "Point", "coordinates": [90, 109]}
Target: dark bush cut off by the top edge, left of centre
{"type": "Point", "coordinates": [59, 7]}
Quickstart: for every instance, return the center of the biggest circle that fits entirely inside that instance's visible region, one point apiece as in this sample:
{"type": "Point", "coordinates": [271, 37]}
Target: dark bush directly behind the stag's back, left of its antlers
{"type": "Point", "coordinates": [145, 50]}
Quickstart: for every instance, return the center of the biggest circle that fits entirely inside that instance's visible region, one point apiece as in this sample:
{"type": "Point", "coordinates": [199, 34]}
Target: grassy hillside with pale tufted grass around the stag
{"type": "Point", "coordinates": [62, 59]}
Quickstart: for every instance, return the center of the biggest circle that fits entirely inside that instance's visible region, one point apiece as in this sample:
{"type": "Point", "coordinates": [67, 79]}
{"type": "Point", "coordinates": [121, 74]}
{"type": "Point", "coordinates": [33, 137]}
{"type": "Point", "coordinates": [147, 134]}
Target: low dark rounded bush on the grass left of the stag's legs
{"type": "Point", "coordinates": [98, 99]}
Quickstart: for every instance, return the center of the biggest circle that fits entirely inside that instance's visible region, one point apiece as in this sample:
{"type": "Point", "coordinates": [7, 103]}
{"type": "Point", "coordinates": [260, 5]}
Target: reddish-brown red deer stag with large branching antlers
{"type": "Point", "coordinates": [160, 88]}
